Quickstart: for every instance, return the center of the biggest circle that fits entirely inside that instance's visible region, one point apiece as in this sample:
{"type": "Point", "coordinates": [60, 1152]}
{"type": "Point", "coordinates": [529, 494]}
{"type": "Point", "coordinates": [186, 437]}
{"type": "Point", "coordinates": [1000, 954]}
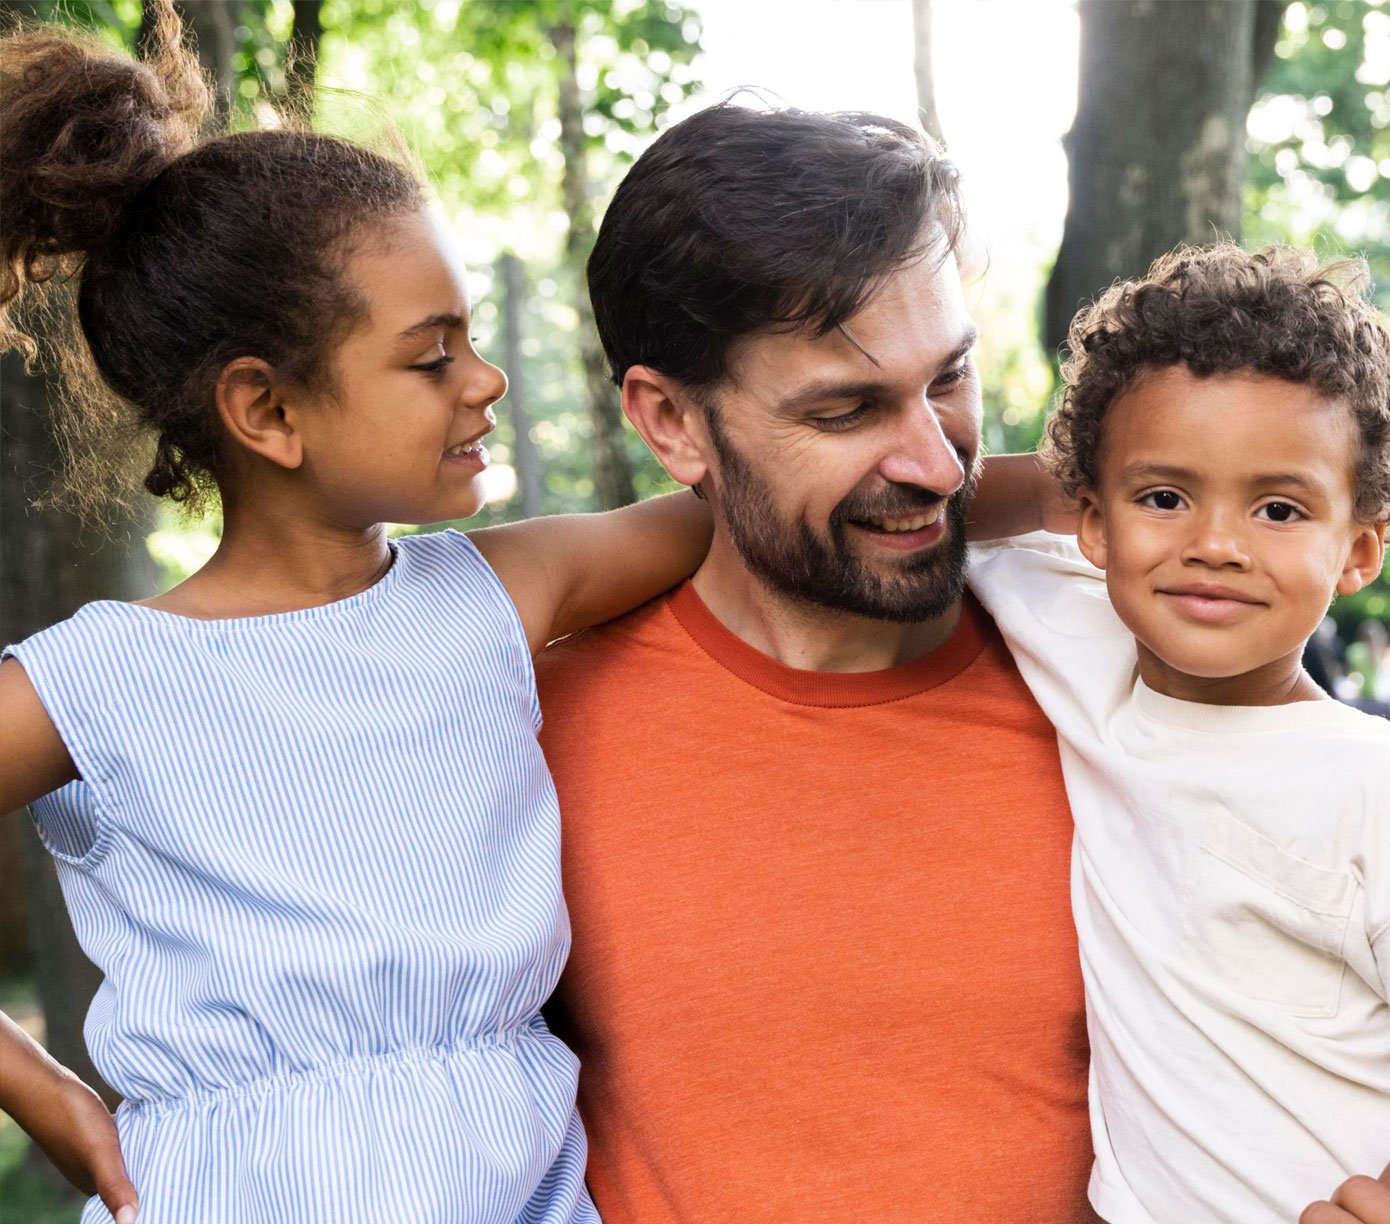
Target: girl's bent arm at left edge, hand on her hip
{"type": "Point", "coordinates": [63, 1116]}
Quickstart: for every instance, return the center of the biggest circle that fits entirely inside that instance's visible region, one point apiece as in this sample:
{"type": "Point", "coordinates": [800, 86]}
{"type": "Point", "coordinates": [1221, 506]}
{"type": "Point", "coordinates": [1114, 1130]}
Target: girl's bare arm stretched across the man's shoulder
{"type": "Point", "coordinates": [571, 572]}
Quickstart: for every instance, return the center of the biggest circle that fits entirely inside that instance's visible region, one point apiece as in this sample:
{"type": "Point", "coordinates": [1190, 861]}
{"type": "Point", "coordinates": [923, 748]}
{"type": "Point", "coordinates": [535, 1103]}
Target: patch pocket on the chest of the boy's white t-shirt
{"type": "Point", "coordinates": [1266, 923]}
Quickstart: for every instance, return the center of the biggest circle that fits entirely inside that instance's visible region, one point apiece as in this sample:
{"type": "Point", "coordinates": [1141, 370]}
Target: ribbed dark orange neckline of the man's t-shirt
{"type": "Point", "coordinates": [832, 688]}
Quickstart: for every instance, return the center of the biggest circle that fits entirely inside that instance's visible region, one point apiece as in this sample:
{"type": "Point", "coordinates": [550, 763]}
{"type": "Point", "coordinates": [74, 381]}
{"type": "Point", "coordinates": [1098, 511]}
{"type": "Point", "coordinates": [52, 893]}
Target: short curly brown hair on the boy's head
{"type": "Point", "coordinates": [1218, 311]}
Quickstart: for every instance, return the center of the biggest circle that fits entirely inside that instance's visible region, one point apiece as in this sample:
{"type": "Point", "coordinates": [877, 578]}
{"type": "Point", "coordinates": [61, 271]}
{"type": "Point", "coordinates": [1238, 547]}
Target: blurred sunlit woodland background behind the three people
{"type": "Point", "coordinates": [1093, 137]}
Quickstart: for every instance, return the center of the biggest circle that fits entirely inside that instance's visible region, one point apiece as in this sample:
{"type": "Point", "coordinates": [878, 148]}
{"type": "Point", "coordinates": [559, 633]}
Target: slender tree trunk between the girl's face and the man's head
{"type": "Point", "coordinates": [612, 468]}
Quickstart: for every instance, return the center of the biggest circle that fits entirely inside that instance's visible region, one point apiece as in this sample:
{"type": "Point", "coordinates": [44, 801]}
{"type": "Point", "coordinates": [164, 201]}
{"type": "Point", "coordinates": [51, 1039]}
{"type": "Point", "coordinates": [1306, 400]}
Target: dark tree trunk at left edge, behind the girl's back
{"type": "Point", "coordinates": [49, 568]}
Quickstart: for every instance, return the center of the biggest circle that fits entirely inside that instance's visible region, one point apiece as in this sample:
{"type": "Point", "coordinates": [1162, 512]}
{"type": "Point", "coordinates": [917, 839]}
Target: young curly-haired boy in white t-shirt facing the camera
{"type": "Point", "coordinates": [1227, 431]}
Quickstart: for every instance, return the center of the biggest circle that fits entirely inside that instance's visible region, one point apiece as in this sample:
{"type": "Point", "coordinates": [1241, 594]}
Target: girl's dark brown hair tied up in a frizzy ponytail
{"type": "Point", "coordinates": [184, 254]}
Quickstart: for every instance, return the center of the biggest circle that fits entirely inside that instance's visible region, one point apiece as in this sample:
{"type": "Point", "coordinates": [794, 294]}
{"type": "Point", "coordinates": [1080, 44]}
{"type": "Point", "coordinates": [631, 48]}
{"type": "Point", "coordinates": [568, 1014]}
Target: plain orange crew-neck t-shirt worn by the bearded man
{"type": "Point", "coordinates": [824, 962]}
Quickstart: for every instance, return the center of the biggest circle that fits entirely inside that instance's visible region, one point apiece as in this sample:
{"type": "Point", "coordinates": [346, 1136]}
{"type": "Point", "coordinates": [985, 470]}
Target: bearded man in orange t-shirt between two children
{"type": "Point", "coordinates": [817, 841]}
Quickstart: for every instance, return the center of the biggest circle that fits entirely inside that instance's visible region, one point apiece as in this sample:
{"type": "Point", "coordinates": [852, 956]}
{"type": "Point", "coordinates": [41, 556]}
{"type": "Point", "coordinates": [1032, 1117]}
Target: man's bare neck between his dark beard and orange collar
{"type": "Point", "coordinates": [806, 636]}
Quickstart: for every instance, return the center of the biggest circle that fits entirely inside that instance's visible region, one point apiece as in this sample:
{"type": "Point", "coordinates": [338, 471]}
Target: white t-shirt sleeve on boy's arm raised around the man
{"type": "Point", "coordinates": [1056, 616]}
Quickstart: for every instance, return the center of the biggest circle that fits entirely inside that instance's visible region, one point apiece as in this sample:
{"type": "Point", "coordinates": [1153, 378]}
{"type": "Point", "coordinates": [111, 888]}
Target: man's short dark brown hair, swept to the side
{"type": "Point", "coordinates": [742, 220]}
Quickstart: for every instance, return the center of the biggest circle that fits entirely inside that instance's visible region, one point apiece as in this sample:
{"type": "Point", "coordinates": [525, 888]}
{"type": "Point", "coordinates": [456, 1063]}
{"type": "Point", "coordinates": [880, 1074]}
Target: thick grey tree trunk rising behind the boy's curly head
{"type": "Point", "coordinates": [1157, 155]}
